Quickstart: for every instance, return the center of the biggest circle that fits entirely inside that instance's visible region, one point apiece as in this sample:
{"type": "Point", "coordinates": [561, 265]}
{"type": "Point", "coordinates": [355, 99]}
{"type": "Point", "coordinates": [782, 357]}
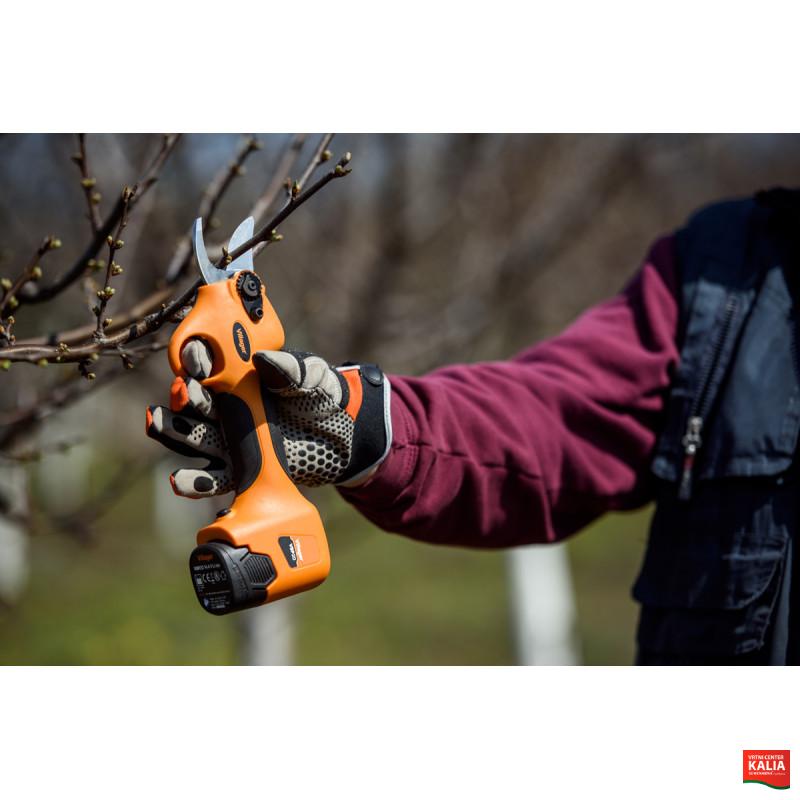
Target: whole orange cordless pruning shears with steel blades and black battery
{"type": "Point", "coordinates": [270, 542]}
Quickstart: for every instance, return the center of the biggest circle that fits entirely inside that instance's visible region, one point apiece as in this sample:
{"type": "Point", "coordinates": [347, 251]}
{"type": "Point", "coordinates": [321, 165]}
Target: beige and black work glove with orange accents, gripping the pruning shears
{"type": "Point", "coordinates": [335, 423]}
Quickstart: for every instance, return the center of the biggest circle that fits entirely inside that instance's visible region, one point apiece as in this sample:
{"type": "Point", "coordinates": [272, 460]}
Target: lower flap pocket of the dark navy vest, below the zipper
{"type": "Point", "coordinates": [713, 567]}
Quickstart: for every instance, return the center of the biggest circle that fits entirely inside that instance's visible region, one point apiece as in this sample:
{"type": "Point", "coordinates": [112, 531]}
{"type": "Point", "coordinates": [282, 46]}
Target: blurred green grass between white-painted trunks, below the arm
{"type": "Point", "coordinates": [127, 599]}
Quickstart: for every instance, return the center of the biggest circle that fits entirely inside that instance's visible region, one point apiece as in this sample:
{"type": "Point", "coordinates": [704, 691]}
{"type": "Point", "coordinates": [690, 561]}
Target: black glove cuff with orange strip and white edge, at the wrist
{"type": "Point", "coordinates": [372, 433]}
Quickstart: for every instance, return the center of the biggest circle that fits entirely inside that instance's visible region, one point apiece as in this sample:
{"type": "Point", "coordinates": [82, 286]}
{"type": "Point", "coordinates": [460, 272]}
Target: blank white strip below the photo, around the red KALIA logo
{"type": "Point", "coordinates": [390, 733]}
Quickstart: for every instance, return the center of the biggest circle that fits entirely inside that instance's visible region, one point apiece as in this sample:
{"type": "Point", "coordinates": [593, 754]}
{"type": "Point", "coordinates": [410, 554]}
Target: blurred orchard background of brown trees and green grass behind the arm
{"type": "Point", "coordinates": [436, 249]}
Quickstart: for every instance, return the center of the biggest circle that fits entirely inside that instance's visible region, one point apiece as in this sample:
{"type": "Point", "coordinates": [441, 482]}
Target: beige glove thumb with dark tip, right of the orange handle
{"type": "Point", "coordinates": [291, 374]}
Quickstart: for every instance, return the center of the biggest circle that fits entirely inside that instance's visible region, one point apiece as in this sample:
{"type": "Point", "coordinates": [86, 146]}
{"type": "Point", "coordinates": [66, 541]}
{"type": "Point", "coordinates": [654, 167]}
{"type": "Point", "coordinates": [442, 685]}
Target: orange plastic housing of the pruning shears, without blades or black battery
{"type": "Point", "coordinates": [272, 506]}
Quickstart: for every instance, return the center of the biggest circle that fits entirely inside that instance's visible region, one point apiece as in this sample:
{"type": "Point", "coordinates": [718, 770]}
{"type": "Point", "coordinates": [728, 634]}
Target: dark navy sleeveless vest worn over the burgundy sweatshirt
{"type": "Point", "coordinates": [716, 582]}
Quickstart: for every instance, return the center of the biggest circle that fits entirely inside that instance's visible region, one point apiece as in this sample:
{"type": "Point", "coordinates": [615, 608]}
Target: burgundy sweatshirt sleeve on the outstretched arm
{"type": "Point", "coordinates": [534, 448]}
